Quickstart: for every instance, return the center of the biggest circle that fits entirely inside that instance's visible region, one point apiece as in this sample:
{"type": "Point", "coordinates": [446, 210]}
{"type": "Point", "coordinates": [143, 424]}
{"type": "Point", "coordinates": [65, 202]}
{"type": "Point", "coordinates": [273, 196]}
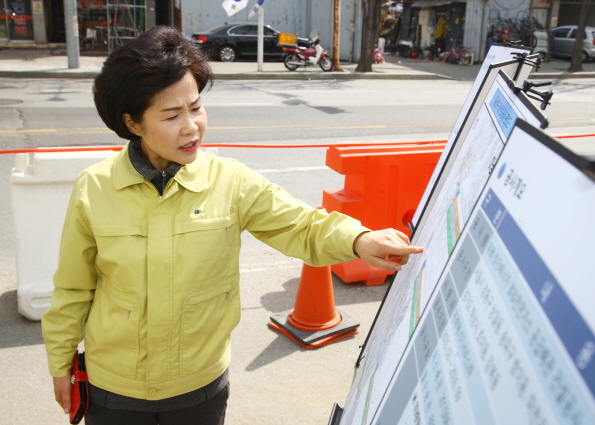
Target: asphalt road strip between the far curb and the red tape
{"type": "Point", "coordinates": [61, 112]}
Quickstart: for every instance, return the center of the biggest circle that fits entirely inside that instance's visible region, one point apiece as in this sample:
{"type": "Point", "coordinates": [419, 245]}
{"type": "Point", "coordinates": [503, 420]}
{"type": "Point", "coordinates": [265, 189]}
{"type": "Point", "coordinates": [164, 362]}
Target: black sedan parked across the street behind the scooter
{"type": "Point", "coordinates": [229, 42]}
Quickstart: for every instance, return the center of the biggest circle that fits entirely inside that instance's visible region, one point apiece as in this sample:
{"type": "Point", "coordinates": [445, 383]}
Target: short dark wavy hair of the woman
{"type": "Point", "coordinates": [135, 72]}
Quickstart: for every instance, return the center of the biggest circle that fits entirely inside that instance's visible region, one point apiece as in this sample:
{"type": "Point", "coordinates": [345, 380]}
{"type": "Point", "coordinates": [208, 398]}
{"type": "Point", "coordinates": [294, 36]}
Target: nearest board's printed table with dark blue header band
{"type": "Point", "coordinates": [509, 335]}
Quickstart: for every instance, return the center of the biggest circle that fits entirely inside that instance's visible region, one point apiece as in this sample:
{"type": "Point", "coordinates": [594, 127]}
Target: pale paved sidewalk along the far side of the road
{"type": "Point", "coordinates": [45, 63]}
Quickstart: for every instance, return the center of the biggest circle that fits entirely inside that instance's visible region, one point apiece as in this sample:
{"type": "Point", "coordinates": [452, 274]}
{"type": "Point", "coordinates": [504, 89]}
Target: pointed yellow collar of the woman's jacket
{"type": "Point", "coordinates": [192, 176]}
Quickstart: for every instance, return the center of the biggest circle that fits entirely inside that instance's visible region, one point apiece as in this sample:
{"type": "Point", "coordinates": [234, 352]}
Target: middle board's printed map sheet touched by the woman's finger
{"type": "Point", "coordinates": [439, 231]}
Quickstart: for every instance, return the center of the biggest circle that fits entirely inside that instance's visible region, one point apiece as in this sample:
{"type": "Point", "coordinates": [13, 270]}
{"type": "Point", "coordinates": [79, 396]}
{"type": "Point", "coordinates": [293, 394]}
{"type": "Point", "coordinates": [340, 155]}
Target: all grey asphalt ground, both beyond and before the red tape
{"type": "Point", "coordinates": [44, 113]}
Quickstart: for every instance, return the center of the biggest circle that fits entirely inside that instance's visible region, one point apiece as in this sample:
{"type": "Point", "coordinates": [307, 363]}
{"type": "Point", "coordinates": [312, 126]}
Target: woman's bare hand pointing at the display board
{"type": "Point", "coordinates": [386, 249]}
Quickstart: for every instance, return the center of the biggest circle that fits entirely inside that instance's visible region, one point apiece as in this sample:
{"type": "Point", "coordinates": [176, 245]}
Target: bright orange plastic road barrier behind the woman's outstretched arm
{"type": "Point", "coordinates": [383, 186]}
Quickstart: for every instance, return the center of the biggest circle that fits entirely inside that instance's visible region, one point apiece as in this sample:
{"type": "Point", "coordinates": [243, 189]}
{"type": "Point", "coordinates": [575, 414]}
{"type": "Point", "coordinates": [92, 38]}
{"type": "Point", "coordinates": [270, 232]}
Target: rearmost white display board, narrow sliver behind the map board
{"type": "Point", "coordinates": [498, 57]}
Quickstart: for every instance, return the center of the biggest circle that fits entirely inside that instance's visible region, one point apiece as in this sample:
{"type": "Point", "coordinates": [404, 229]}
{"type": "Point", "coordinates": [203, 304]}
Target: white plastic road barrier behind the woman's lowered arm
{"type": "Point", "coordinates": [40, 187]}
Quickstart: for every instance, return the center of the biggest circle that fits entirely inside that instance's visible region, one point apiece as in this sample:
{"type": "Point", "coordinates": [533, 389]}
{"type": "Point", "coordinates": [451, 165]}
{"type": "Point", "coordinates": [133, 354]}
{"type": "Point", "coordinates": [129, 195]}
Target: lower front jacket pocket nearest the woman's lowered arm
{"type": "Point", "coordinates": [112, 332]}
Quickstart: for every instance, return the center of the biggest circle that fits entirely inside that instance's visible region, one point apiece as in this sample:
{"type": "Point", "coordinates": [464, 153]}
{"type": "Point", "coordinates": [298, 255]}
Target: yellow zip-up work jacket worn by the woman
{"type": "Point", "coordinates": [154, 281]}
